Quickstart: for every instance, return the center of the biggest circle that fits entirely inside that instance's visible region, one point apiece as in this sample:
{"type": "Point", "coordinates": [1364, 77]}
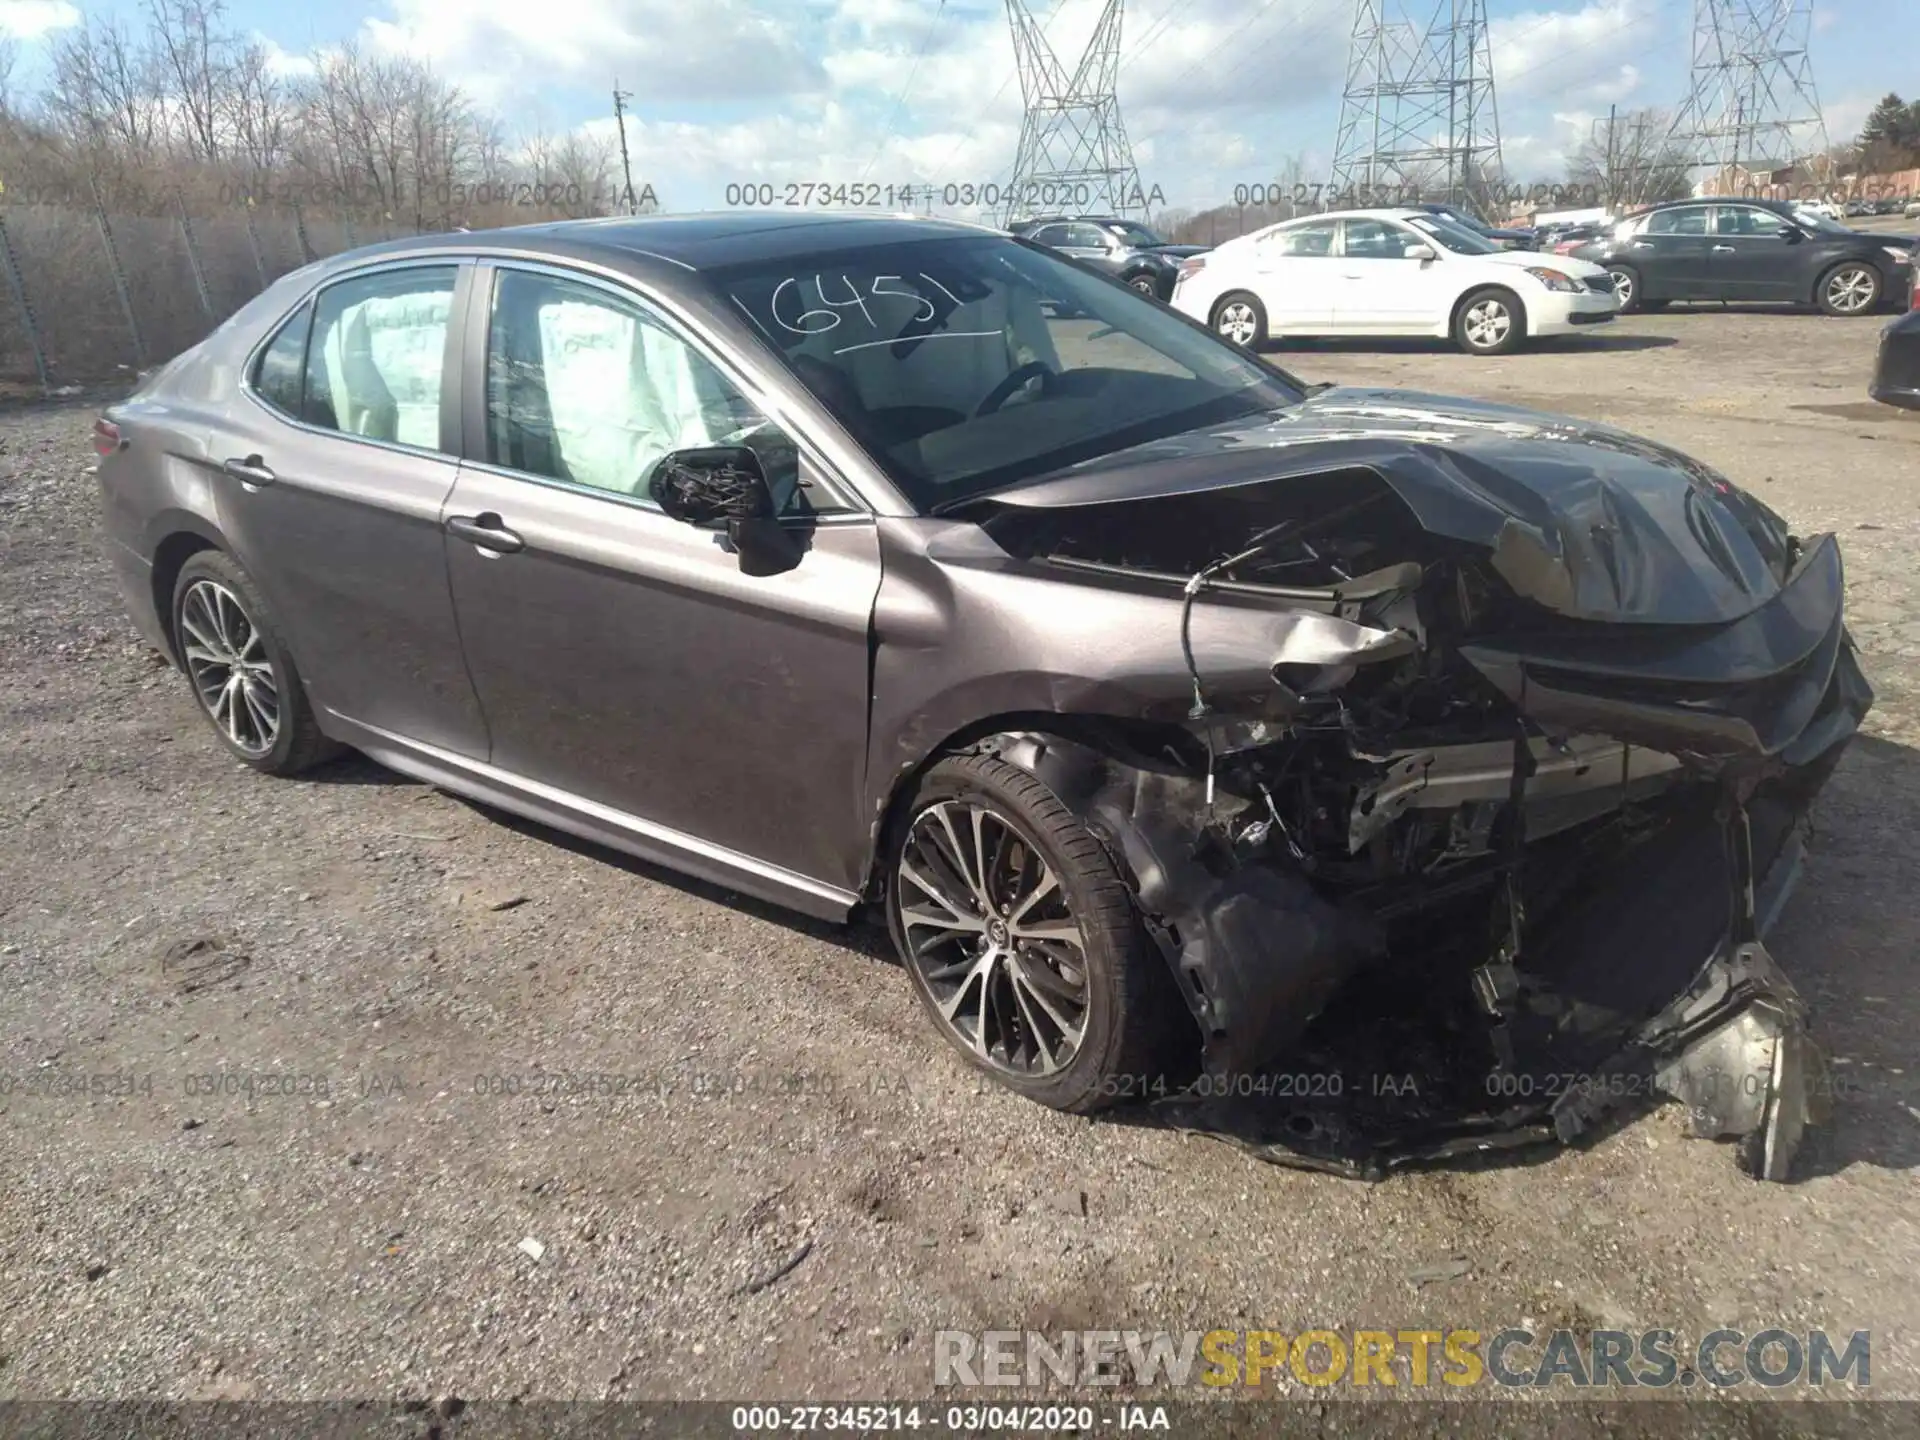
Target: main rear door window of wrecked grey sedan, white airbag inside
{"type": "Point", "coordinates": [377, 356]}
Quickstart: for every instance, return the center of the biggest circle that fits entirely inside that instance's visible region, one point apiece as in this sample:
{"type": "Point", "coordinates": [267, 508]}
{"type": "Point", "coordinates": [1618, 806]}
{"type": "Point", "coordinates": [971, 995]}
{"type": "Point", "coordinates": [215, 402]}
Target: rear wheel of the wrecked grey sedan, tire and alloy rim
{"type": "Point", "coordinates": [241, 671]}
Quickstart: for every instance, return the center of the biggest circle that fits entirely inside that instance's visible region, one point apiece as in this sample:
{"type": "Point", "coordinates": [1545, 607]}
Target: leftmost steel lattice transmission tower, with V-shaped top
{"type": "Point", "coordinates": [1074, 147]}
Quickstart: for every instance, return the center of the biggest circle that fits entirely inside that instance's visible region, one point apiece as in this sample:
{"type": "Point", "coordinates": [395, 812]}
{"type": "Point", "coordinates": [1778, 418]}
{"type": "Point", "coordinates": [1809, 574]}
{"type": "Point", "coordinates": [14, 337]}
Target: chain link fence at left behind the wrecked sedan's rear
{"type": "Point", "coordinates": [95, 299]}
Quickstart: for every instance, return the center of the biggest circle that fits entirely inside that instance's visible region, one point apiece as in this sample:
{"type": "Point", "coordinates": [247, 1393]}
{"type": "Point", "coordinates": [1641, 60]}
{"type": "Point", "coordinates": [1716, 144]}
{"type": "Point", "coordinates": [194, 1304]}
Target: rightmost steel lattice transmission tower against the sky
{"type": "Point", "coordinates": [1752, 107]}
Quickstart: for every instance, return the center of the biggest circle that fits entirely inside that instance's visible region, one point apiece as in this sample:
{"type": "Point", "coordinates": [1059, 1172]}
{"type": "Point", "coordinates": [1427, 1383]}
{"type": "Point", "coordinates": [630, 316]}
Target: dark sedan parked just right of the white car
{"type": "Point", "coordinates": [1750, 251]}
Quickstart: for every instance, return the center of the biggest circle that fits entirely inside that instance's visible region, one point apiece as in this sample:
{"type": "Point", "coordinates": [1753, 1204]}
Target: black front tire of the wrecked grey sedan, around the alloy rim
{"type": "Point", "coordinates": [1134, 1013]}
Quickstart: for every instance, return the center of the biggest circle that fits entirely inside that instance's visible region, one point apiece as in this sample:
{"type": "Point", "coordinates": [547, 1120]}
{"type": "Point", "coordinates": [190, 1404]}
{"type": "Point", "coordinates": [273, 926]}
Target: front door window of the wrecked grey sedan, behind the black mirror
{"type": "Point", "coordinates": [590, 389]}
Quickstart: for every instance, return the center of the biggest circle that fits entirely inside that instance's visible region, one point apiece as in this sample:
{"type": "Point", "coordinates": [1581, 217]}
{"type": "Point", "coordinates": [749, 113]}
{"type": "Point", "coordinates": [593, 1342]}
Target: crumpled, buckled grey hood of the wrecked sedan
{"type": "Point", "coordinates": [1579, 517]}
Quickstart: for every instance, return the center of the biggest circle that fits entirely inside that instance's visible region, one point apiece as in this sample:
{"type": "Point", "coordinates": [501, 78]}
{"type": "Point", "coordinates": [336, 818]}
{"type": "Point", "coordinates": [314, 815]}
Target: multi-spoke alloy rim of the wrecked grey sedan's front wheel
{"type": "Point", "coordinates": [994, 938]}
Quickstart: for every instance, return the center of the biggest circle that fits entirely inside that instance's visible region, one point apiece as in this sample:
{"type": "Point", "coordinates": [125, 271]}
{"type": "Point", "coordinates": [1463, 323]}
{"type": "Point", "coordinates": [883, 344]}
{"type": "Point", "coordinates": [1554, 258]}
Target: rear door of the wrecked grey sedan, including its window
{"type": "Point", "coordinates": [337, 460]}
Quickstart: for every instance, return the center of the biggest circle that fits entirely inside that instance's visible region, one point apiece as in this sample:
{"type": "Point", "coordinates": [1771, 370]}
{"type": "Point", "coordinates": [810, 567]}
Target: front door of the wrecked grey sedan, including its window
{"type": "Point", "coordinates": [627, 658]}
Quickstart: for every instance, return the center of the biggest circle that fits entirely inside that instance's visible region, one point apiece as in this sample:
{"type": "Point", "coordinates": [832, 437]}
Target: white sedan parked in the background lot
{"type": "Point", "coordinates": [1389, 274]}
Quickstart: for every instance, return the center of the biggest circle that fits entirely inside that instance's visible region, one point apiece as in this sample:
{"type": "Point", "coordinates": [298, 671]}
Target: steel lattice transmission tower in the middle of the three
{"type": "Point", "coordinates": [1418, 112]}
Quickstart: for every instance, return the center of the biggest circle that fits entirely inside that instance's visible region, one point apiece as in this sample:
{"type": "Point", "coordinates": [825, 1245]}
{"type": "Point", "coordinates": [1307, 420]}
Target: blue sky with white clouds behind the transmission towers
{"type": "Point", "coordinates": [1214, 93]}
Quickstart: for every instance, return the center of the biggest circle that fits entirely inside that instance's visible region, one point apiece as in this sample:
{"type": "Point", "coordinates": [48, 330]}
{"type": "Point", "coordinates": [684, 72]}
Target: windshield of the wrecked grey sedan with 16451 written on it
{"type": "Point", "coordinates": [972, 364]}
